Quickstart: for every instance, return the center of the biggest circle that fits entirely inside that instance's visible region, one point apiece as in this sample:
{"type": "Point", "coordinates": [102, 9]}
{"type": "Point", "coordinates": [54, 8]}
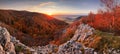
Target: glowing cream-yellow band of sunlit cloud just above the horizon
{"type": "Point", "coordinates": [51, 8]}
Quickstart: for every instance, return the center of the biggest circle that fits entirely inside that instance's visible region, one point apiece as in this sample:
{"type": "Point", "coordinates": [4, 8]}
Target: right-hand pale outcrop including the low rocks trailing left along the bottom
{"type": "Point", "coordinates": [72, 46]}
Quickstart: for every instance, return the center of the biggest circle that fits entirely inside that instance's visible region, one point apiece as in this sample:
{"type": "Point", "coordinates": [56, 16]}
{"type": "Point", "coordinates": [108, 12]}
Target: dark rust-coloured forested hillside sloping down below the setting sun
{"type": "Point", "coordinates": [31, 28]}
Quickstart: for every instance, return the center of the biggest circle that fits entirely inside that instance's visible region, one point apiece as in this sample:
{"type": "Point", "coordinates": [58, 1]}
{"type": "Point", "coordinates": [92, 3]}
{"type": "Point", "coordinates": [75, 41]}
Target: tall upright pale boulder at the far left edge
{"type": "Point", "coordinates": [5, 42]}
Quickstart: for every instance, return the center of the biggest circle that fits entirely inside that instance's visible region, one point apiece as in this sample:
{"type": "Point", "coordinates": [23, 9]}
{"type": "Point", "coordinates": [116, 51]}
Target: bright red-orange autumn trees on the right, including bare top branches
{"type": "Point", "coordinates": [107, 19]}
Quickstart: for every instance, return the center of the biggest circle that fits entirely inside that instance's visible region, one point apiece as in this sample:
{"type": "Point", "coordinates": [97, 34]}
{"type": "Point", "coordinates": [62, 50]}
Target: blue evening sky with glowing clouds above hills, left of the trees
{"type": "Point", "coordinates": [53, 7]}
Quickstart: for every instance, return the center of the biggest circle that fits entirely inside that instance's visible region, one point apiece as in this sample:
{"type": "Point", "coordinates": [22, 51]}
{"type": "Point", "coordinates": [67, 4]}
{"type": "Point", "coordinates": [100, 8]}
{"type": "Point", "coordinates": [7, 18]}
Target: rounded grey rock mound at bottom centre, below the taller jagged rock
{"type": "Point", "coordinates": [70, 48]}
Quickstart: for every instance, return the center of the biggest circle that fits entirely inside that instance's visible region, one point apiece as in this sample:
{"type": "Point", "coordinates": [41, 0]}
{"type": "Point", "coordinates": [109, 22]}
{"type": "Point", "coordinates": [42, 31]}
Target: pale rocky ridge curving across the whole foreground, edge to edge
{"type": "Point", "coordinates": [76, 45]}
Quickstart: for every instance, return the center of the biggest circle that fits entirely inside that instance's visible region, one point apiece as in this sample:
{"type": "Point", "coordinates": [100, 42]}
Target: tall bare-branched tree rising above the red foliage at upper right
{"type": "Point", "coordinates": [111, 5]}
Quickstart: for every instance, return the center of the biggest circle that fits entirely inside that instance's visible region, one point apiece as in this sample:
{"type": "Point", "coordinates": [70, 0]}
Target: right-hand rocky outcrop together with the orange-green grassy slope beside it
{"type": "Point", "coordinates": [84, 41]}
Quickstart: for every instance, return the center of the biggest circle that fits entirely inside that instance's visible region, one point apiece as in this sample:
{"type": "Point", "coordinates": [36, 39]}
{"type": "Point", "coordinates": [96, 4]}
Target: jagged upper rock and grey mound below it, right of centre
{"type": "Point", "coordinates": [73, 46]}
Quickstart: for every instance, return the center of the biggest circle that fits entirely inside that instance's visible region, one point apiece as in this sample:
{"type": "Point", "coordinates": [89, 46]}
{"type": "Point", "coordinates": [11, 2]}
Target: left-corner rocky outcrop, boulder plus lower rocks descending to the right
{"type": "Point", "coordinates": [8, 44]}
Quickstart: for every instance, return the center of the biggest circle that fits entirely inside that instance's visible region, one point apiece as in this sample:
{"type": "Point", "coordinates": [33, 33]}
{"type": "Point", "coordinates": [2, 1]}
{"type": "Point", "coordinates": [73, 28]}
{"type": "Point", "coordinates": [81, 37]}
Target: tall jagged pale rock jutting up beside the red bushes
{"type": "Point", "coordinates": [82, 32]}
